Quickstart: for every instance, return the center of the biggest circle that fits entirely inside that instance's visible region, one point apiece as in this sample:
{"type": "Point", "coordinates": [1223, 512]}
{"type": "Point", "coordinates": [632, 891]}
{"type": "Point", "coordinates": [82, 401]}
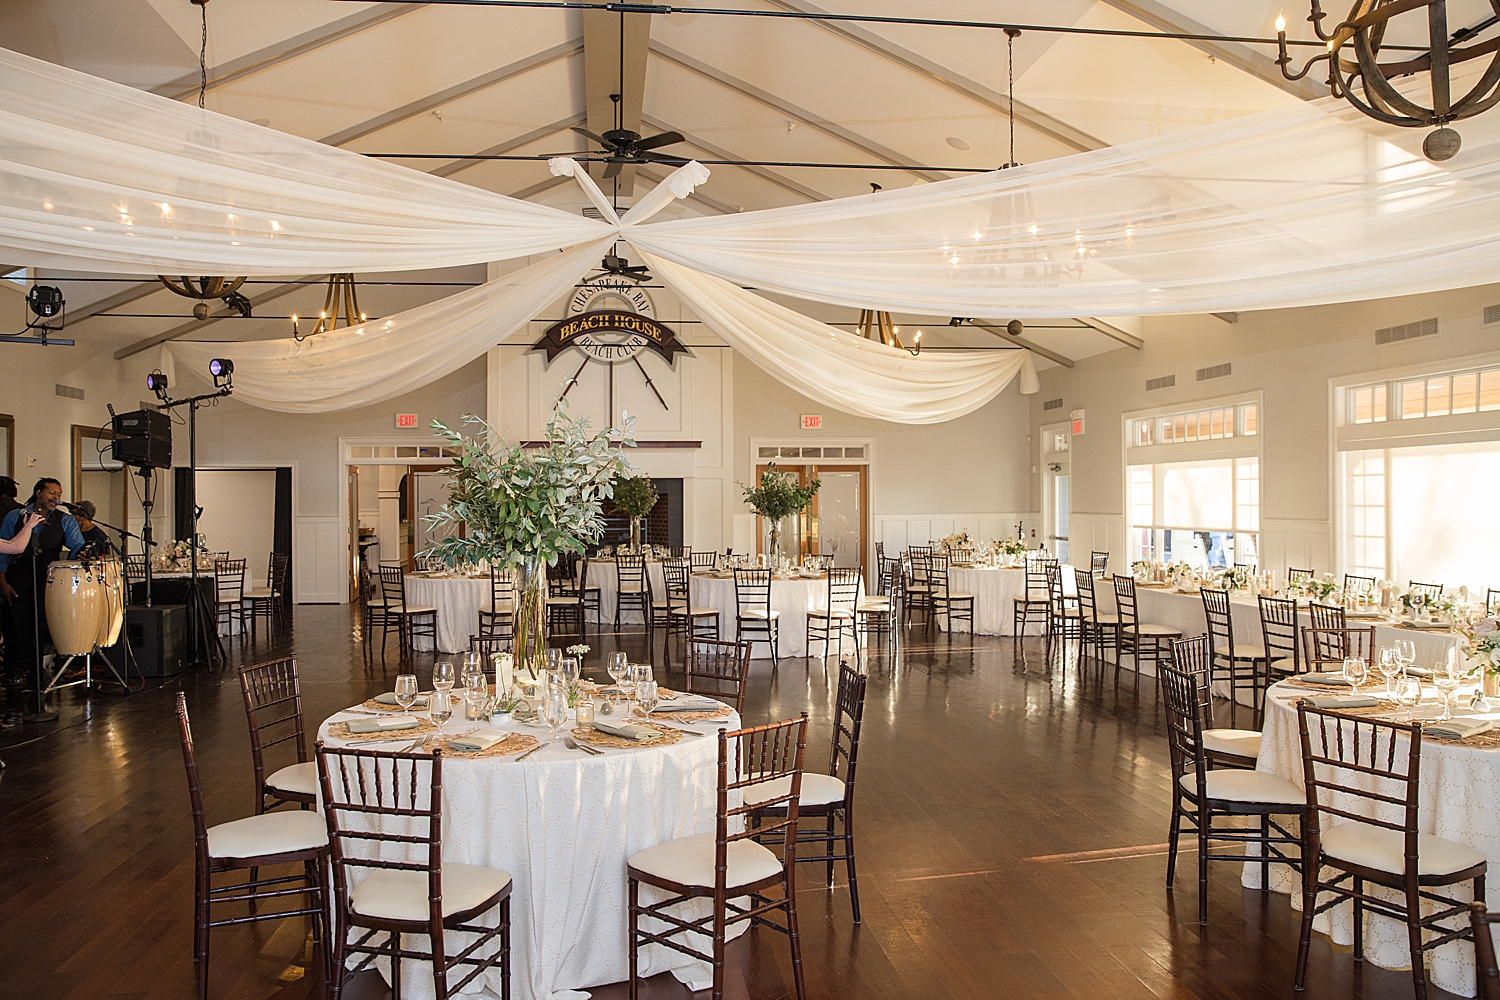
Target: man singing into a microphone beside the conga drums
{"type": "Point", "coordinates": [25, 575]}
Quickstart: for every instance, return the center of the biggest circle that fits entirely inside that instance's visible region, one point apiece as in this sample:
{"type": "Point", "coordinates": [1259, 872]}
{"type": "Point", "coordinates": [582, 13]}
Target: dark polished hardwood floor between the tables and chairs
{"type": "Point", "coordinates": [1010, 816]}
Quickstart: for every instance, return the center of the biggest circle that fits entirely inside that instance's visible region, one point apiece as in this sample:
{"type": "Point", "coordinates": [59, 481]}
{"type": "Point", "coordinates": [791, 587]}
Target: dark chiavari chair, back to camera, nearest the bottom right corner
{"type": "Point", "coordinates": [1355, 771]}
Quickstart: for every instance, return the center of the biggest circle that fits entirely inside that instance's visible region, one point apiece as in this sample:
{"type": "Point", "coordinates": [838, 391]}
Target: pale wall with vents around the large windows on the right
{"type": "Point", "coordinates": [1289, 356]}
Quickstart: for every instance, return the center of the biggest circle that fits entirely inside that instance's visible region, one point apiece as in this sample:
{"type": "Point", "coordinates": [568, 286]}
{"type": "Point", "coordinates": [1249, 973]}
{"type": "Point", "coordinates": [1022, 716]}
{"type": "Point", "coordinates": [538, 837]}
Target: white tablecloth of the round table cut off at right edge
{"type": "Point", "coordinates": [1460, 798]}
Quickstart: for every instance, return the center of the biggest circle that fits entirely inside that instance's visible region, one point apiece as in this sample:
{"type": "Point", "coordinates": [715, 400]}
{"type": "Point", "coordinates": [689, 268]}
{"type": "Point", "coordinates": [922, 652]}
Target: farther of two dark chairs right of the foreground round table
{"type": "Point", "coordinates": [829, 795]}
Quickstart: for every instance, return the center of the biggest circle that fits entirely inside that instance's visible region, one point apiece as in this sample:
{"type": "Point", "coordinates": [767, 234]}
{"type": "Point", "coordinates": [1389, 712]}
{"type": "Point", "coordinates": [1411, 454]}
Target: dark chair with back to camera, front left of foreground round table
{"type": "Point", "coordinates": [382, 807]}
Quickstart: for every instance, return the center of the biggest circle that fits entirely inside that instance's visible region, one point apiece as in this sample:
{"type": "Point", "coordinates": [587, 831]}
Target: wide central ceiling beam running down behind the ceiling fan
{"type": "Point", "coordinates": [614, 65]}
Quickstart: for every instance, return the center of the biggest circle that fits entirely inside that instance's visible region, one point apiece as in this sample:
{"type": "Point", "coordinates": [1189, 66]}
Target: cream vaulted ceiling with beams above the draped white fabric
{"type": "Point", "coordinates": [893, 104]}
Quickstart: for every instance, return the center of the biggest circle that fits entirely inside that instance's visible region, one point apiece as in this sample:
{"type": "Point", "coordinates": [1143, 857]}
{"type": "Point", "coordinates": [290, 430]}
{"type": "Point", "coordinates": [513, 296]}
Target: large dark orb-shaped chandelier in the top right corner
{"type": "Point", "coordinates": [1367, 83]}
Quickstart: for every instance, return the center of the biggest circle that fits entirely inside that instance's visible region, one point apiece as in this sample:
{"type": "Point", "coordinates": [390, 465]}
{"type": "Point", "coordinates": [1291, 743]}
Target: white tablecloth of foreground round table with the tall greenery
{"type": "Point", "coordinates": [563, 825]}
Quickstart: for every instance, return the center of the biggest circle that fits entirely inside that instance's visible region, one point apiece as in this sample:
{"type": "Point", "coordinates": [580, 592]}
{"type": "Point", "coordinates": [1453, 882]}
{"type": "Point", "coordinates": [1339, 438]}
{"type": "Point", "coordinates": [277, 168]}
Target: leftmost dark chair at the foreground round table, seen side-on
{"type": "Point", "coordinates": [265, 840]}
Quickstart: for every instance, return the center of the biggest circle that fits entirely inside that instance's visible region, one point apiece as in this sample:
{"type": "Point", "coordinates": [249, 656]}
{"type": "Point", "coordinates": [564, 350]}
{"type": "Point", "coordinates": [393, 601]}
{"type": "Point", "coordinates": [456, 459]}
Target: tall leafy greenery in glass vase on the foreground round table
{"type": "Point", "coordinates": [521, 509]}
